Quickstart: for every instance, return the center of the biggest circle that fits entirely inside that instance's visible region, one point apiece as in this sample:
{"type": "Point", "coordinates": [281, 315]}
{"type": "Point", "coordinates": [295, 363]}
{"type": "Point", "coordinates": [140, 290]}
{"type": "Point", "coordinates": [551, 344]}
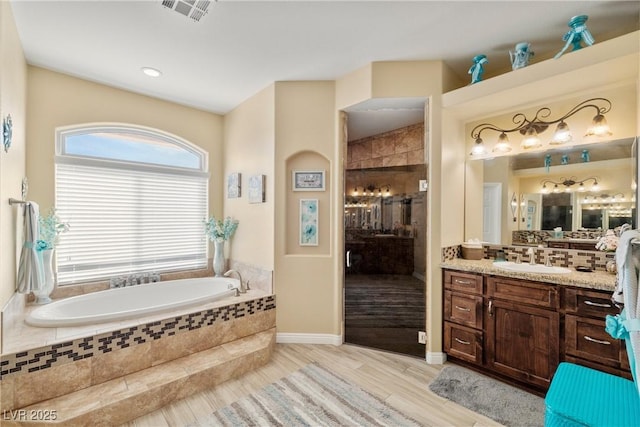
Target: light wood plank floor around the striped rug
{"type": "Point", "coordinates": [401, 381]}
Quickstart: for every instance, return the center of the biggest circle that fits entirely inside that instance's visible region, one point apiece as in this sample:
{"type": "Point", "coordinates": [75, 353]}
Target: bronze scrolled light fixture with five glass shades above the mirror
{"type": "Point", "coordinates": [530, 128]}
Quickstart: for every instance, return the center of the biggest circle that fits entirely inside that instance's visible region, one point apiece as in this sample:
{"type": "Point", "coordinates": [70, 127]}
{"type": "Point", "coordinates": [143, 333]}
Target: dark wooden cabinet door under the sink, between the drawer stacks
{"type": "Point", "coordinates": [522, 342]}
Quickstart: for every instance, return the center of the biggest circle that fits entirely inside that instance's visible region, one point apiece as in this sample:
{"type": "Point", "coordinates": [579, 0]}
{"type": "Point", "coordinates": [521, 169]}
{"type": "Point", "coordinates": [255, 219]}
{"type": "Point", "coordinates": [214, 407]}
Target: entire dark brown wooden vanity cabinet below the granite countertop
{"type": "Point", "coordinates": [521, 330]}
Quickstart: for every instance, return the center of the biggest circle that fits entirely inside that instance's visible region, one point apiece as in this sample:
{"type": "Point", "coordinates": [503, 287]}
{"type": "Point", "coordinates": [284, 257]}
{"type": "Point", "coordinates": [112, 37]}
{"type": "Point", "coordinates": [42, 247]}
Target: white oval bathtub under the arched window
{"type": "Point", "coordinates": [130, 302]}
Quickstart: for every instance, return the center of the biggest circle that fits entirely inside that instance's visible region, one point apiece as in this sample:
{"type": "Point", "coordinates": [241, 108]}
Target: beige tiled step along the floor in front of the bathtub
{"type": "Point", "coordinates": [123, 399]}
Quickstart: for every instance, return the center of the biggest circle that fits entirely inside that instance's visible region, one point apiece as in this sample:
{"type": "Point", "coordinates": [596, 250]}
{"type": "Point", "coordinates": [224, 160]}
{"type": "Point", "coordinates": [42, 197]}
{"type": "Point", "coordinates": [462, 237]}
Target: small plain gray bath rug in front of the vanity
{"type": "Point", "coordinates": [501, 402]}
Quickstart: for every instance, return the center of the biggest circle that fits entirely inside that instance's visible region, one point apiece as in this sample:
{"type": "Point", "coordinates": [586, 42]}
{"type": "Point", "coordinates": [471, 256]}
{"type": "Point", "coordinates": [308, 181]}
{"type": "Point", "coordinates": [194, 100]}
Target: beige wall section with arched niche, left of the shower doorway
{"type": "Point", "coordinates": [306, 277]}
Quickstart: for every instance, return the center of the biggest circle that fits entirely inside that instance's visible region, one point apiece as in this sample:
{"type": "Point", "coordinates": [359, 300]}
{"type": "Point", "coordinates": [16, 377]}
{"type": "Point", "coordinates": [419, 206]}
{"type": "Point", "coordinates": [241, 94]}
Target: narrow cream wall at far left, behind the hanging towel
{"type": "Point", "coordinates": [13, 93]}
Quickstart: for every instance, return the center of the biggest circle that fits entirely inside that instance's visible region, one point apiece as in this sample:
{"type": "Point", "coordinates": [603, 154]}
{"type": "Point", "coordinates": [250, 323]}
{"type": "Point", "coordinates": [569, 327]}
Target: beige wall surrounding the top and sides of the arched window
{"type": "Point", "coordinates": [56, 99]}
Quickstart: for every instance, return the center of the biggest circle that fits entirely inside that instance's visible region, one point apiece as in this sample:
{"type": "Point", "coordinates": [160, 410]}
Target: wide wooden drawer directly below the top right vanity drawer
{"type": "Point", "coordinates": [587, 339]}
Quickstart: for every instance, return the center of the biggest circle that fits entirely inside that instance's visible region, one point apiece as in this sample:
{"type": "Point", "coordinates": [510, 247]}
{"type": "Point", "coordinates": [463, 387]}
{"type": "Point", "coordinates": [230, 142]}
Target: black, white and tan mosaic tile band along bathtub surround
{"type": "Point", "coordinates": [83, 348]}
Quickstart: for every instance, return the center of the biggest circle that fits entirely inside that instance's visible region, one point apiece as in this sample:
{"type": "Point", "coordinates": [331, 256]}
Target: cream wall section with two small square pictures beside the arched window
{"type": "Point", "coordinates": [249, 135]}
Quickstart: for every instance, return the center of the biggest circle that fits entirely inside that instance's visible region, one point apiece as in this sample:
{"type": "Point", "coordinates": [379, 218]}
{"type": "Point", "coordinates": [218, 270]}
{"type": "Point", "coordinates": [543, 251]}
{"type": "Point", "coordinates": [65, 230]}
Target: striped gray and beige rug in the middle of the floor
{"type": "Point", "coordinates": [311, 396]}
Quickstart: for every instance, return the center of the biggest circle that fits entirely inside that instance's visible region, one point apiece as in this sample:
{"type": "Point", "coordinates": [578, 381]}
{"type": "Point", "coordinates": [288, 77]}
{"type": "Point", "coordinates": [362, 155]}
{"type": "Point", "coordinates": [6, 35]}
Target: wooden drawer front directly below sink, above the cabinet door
{"type": "Point", "coordinates": [533, 293]}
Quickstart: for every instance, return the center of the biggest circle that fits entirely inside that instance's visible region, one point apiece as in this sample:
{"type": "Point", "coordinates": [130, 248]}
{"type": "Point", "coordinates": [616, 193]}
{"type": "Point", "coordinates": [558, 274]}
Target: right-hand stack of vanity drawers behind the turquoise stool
{"type": "Point", "coordinates": [585, 339]}
